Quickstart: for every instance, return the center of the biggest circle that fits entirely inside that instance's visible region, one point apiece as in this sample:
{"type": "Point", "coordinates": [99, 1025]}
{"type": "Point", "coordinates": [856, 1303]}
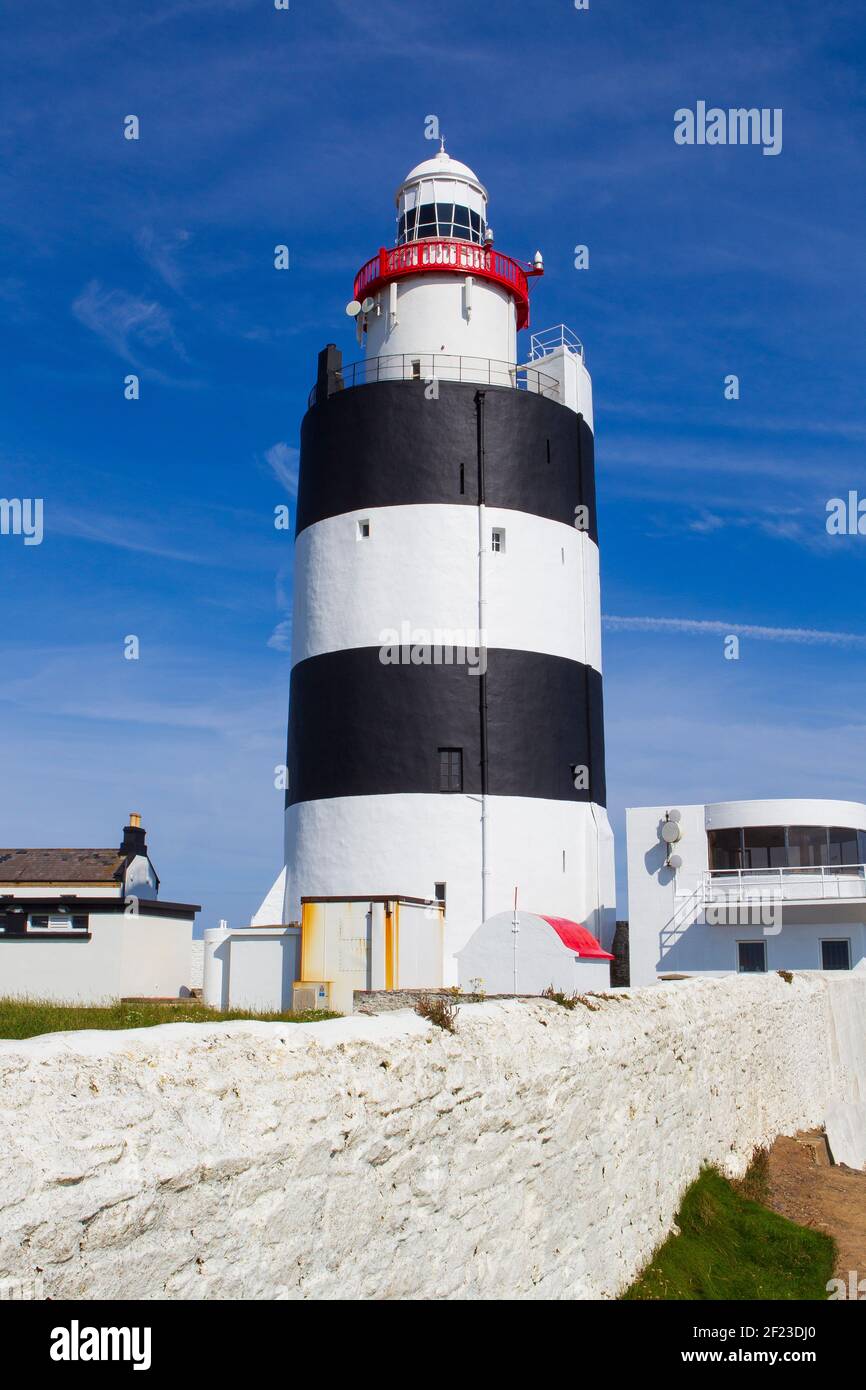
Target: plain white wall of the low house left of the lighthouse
{"type": "Point", "coordinates": [126, 956]}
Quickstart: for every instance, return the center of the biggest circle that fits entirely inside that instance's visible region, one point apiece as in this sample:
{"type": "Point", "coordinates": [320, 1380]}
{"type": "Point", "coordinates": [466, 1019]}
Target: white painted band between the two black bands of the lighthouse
{"type": "Point", "coordinates": [543, 590]}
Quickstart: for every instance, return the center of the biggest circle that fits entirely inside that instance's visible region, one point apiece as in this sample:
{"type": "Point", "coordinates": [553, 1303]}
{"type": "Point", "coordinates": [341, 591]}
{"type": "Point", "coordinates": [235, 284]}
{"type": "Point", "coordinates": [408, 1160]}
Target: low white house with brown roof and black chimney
{"type": "Point", "coordinates": [88, 926]}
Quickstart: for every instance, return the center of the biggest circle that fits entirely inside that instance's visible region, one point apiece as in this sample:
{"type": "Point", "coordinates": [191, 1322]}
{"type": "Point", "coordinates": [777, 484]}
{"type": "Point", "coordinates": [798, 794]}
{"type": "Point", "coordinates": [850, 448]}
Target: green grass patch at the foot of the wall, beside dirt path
{"type": "Point", "coordinates": [735, 1249]}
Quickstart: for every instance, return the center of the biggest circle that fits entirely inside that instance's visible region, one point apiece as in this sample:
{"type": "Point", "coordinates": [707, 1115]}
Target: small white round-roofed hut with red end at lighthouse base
{"type": "Point", "coordinates": [523, 953]}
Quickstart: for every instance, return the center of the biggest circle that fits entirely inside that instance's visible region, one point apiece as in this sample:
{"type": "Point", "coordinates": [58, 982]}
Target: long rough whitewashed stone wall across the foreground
{"type": "Point", "coordinates": [534, 1154]}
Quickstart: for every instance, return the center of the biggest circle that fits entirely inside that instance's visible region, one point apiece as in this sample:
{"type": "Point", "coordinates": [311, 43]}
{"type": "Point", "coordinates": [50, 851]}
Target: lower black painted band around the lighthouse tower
{"type": "Point", "coordinates": [361, 729]}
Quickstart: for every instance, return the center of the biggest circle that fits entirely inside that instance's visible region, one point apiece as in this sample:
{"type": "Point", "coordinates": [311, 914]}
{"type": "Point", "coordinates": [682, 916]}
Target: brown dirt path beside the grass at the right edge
{"type": "Point", "coordinates": [808, 1189]}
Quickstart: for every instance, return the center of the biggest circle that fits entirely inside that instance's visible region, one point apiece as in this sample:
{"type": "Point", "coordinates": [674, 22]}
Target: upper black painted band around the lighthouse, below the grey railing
{"type": "Point", "coordinates": [386, 445]}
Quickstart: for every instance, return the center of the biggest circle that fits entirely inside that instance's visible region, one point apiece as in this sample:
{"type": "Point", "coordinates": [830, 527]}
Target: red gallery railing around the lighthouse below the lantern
{"type": "Point", "coordinates": [450, 256]}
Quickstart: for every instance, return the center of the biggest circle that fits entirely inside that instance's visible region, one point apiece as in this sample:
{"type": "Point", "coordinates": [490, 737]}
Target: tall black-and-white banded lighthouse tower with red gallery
{"type": "Point", "coordinates": [446, 715]}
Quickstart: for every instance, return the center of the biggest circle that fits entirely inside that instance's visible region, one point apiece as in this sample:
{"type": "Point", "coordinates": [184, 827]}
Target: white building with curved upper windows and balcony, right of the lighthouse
{"type": "Point", "coordinates": [747, 886]}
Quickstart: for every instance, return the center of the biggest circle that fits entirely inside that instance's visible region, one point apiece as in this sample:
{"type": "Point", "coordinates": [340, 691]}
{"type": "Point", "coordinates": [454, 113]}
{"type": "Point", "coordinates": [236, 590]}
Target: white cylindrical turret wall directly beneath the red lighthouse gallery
{"type": "Point", "coordinates": [433, 319]}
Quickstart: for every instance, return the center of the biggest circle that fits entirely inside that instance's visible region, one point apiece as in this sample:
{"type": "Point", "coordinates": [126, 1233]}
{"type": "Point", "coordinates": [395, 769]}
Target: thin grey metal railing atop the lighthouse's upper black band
{"type": "Point", "coordinates": [433, 368]}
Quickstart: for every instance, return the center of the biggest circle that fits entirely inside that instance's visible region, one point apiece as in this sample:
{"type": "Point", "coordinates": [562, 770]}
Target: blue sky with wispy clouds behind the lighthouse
{"type": "Point", "coordinates": [262, 127]}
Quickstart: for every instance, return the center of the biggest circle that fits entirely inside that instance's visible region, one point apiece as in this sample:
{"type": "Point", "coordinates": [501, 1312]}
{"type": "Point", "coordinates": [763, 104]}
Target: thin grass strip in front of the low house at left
{"type": "Point", "coordinates": [27, 1018]}
